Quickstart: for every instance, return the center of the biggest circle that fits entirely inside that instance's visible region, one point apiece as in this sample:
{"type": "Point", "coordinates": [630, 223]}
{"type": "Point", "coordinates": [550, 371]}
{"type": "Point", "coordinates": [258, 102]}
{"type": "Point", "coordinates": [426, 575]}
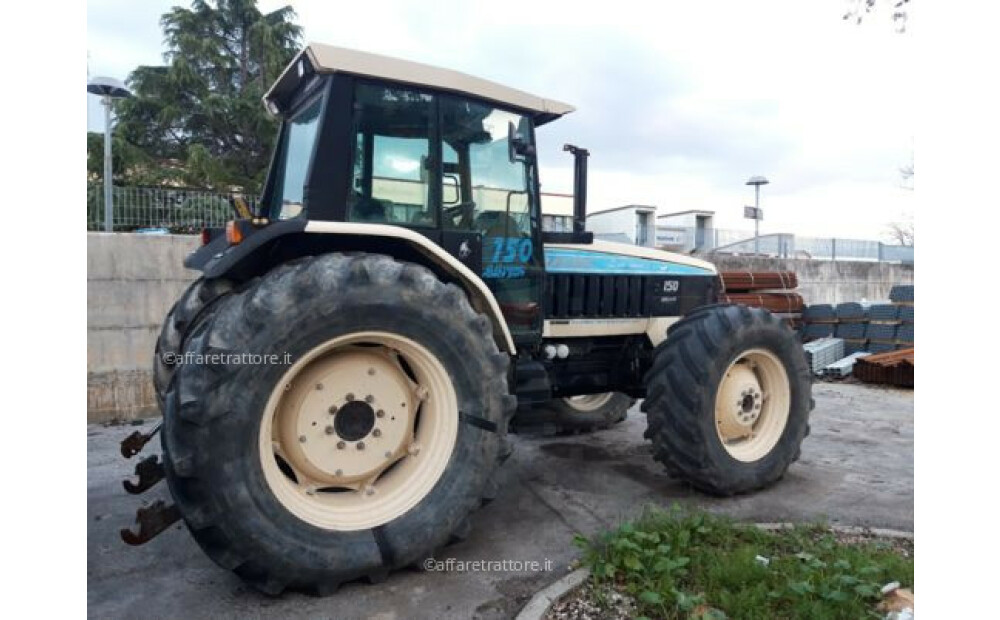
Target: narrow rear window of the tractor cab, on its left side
{"type": "Point", "coordinates": [296, 149]}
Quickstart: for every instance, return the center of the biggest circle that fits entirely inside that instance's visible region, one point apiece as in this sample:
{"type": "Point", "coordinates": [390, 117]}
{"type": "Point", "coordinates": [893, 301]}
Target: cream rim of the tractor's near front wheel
{"type": "Point", "coordinates": [752, 405]}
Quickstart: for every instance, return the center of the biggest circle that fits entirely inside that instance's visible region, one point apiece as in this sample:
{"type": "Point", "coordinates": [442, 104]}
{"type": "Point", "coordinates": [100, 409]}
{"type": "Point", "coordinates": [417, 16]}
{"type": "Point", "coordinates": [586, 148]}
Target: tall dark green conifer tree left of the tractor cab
{"type": "Point", "coordinates": [198, 120]}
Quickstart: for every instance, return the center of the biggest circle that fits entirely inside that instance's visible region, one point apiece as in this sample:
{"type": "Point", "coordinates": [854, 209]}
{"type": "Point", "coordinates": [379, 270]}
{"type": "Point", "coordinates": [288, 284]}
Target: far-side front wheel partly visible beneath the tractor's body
{"type": "Point", "coordinates": [578, 414]}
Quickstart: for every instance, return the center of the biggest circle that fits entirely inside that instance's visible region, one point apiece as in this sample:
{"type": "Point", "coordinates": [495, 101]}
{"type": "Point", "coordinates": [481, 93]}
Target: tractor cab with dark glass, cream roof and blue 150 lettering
{"type": "Point", "coordinates": [376, 140]}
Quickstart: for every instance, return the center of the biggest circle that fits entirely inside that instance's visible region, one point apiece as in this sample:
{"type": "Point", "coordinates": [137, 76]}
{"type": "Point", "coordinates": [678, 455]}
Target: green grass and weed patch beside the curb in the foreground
{"type": "Point", "coordinates": [681, 564]}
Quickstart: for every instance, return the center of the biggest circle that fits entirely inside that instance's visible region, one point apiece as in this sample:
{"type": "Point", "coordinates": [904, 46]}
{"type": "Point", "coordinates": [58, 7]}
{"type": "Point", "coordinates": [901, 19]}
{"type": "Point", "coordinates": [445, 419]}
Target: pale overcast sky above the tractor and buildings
{"type": "Point", "coordinates": [679, 103]}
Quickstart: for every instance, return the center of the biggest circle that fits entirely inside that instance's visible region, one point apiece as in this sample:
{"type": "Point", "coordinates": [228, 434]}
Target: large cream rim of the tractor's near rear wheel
{"type": "Point", "coordinates": [358, 431]}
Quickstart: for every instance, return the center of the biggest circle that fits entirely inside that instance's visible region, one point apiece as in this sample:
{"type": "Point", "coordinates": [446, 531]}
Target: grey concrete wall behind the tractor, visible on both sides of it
{"type": "Point", "coordinates": [133, 280]}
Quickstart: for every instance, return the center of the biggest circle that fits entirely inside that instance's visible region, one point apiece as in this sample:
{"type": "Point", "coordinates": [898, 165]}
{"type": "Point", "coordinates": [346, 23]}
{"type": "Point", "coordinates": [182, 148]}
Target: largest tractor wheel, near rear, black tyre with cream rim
{"type": "Point", "coordinates": [291, 531]}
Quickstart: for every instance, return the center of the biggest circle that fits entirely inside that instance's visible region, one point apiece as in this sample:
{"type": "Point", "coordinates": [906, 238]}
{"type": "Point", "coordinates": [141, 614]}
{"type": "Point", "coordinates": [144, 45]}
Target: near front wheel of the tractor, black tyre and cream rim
{"type": "Point", "coordinates": [728, 399]}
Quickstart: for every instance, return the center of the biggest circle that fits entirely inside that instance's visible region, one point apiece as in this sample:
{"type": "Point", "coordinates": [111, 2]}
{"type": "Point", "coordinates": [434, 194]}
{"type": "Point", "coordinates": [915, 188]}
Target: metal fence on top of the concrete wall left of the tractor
{"type": "Point", "coordinates": [155, 209]}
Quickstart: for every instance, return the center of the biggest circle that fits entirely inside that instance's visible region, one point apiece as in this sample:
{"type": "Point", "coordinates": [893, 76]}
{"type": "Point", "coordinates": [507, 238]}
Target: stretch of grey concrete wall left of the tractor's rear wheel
{"type": "Point", "coordinates": [132, 281]}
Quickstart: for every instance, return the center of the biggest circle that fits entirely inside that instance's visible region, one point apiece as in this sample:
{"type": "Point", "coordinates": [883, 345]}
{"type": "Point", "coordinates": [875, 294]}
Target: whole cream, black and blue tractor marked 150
{"type": "Point", "coordinates": [338, 384]}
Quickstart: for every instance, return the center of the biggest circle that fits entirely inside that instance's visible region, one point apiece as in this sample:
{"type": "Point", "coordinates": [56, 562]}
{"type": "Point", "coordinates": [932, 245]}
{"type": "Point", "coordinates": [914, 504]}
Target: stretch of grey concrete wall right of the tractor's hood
{"type": "Point", "coordinates": [826, 282]}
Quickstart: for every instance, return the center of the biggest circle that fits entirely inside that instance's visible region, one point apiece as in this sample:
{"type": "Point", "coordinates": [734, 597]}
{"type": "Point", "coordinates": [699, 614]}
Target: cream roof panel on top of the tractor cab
{"type": "Point", "coordinates": [329, 59]}
